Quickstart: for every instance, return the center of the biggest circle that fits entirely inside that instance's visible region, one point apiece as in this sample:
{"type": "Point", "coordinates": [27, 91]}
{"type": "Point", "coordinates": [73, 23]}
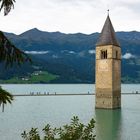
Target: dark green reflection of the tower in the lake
{"type": "Point", "coordinates": [108, 124]}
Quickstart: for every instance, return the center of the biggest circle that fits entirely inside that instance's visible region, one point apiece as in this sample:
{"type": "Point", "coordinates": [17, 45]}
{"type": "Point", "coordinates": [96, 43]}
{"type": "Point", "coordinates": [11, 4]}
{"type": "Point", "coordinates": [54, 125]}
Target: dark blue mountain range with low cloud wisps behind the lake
{"type": "Point", "coordinates": [71, 56]}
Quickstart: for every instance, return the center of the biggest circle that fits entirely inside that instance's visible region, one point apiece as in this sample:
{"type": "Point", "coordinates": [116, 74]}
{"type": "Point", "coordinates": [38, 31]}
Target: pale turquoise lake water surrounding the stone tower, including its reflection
{"type": "Point", "coordinates": [27, 112]}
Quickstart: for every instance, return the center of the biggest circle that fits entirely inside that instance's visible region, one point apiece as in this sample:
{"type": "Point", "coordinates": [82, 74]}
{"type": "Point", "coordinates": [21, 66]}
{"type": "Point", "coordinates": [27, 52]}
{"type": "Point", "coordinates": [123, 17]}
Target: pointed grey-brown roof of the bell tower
{"type": "Point", "coordinates": [107, 36]}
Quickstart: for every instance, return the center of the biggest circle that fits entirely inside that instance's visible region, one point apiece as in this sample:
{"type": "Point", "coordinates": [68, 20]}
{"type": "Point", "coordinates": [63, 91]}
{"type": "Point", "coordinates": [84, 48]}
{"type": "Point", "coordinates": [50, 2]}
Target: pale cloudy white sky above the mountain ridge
{"type": "Point", "coordinates": [71, 16]}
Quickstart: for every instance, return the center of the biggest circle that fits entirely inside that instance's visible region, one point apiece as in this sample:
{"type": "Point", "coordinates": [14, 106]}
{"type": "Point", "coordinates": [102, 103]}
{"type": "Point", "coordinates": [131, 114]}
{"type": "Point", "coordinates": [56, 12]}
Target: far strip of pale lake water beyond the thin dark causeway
{"type": "Point", "coordinates": [62, 88]}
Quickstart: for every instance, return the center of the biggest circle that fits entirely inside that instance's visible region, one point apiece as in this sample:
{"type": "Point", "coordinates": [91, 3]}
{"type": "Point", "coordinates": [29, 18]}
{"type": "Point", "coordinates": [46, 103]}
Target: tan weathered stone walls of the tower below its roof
{"type": "Point", "coordinates": [108, 77]}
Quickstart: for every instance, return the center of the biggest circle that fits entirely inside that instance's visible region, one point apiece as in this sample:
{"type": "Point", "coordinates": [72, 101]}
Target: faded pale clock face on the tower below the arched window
{"type": "Point", "coordinates": [103, 65]}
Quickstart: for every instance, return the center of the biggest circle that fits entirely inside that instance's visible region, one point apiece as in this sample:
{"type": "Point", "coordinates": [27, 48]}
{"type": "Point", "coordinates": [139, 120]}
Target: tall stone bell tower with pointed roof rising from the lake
{"type": "Point", "coordinates": [108, 69]}
